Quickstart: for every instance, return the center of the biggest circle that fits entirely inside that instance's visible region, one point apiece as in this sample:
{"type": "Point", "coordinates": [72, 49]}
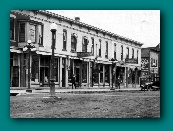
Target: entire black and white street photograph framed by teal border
{"type": "Point", "coordinates": [84, 63]}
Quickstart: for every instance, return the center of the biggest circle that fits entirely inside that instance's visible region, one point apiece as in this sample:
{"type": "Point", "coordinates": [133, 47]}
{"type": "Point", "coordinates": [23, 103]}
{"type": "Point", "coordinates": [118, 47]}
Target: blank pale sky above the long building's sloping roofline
{"type": "Point", "coordinates": [139, 25]}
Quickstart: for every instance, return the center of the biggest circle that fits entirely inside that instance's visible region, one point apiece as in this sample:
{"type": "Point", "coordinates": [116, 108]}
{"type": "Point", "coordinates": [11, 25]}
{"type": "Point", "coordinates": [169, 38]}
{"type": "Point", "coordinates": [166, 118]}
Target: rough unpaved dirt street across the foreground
{"type": "Point", "coordinates": [136, 104]}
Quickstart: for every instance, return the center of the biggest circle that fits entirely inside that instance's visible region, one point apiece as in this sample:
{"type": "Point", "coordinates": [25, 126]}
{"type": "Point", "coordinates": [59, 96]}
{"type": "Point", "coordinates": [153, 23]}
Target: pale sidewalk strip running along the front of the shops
{"type": "Point", "coordinates": [84, 90]}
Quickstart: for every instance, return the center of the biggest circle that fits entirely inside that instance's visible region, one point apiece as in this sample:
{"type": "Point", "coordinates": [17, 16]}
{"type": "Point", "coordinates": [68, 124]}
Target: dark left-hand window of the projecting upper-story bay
{"type": "Point", "coordinates": [22, 31]}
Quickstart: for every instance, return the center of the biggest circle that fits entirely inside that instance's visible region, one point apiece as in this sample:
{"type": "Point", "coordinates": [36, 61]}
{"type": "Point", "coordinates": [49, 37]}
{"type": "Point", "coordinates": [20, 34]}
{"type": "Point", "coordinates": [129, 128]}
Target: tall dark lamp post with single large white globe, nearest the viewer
{"type": "Point", "coordinates": [53, 29]}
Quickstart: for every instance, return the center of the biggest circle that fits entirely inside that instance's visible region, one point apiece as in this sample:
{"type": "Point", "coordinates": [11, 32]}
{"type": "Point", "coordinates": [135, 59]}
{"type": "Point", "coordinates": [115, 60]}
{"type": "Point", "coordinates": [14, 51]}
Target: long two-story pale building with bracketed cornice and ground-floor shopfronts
{"type": "Point", "coordinates": [97, 57]}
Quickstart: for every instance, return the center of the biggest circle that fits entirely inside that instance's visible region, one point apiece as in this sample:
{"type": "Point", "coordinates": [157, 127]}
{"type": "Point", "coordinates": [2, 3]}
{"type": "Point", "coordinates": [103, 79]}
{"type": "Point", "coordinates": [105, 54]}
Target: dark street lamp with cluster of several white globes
{"type": "Point", "coordinates": [29, 47]}
